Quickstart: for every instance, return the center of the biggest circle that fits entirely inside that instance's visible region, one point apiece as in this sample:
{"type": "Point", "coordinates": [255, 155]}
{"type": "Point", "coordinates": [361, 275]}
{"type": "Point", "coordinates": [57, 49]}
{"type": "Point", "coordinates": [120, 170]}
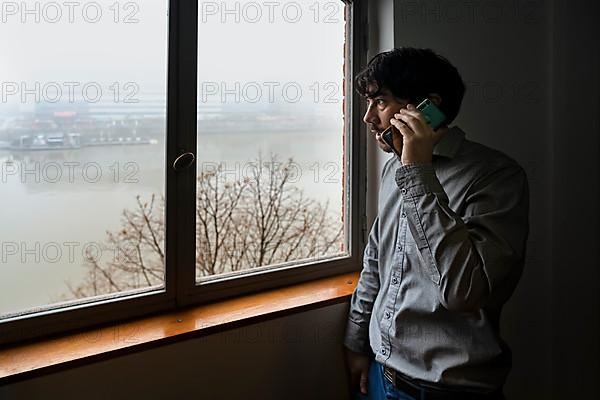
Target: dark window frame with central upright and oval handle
{"type": "Point", "coordinates": [180, 231]}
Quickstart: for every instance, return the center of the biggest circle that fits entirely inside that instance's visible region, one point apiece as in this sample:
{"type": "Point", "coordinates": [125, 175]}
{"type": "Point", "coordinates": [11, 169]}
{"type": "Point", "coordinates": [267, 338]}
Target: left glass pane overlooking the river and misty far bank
{"type": "Point", "coordinates": [82, 128]}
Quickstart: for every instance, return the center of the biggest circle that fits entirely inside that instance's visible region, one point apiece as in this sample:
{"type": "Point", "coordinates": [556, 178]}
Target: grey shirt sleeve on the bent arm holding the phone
{"type": "Point", "coordinates": [475, 258]}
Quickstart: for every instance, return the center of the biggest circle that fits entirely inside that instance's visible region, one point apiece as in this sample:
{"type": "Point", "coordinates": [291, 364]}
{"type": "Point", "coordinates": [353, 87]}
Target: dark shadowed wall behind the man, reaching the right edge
{"type": "Point", "coordinates": [532, 74]}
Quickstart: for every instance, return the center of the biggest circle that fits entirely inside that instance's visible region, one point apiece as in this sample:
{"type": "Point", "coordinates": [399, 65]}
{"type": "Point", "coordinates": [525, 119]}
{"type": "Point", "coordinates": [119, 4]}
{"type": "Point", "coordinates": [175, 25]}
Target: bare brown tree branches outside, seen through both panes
{"type": "Point", "coordinates": [242, 223]}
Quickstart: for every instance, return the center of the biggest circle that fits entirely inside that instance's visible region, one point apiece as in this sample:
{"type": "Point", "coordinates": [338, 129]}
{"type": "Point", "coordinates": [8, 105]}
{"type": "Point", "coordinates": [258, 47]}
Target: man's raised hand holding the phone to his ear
{"type": "Point", "coordinates": [416, 137]}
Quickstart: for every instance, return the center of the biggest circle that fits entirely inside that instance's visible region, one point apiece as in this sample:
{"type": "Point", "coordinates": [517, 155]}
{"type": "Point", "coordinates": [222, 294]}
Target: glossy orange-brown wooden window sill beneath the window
{"type": "Point", "coordinates": [24, 361]}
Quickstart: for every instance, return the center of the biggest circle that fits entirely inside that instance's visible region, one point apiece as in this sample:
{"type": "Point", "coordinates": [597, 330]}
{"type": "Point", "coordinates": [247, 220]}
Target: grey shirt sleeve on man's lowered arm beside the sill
{"type": "Point", "coordinates": [361, 304]}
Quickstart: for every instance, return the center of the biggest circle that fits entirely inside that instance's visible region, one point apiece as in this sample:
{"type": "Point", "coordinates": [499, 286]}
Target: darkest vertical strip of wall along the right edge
{"type": "Point", "coordinates": [574, 242]}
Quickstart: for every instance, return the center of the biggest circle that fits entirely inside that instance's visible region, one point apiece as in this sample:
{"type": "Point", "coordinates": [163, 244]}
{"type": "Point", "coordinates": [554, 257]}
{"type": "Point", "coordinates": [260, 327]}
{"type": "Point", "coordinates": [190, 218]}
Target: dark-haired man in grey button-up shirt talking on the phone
{"type": "Point", "coordinates": [446, 249]}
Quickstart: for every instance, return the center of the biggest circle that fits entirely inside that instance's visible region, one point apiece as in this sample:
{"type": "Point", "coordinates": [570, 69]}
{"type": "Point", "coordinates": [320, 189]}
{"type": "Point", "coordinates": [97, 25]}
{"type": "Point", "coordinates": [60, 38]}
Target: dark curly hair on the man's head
{"type": "Point", "coordinates": [411, 74]}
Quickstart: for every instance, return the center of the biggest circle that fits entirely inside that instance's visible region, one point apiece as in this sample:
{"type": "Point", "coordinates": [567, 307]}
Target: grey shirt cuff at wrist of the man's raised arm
{"type": "Point", "coordinates": [418, 179]}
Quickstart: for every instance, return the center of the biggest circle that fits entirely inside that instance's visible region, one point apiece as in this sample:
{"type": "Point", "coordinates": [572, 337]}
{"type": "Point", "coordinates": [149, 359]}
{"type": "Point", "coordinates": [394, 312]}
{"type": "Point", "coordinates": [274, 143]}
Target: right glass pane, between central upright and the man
{"type": "Point", "coordinates": [271, 137]}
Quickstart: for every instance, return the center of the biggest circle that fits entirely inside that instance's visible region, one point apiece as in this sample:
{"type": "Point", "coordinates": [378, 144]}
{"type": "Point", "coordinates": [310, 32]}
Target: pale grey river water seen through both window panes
{"type": "Point", "coordinates": [64, 215]}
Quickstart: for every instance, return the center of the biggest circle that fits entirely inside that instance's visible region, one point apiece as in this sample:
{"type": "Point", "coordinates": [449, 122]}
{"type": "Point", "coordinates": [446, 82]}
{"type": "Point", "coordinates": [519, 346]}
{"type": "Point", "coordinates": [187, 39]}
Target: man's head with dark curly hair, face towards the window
{"type": "Point", "coordinates": [393, 79]}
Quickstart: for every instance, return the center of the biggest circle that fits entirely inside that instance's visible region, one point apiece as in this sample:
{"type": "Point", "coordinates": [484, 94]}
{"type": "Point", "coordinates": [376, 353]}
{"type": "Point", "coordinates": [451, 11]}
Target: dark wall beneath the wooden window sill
{"type": "Point", "coordinates": [294, 357]}
